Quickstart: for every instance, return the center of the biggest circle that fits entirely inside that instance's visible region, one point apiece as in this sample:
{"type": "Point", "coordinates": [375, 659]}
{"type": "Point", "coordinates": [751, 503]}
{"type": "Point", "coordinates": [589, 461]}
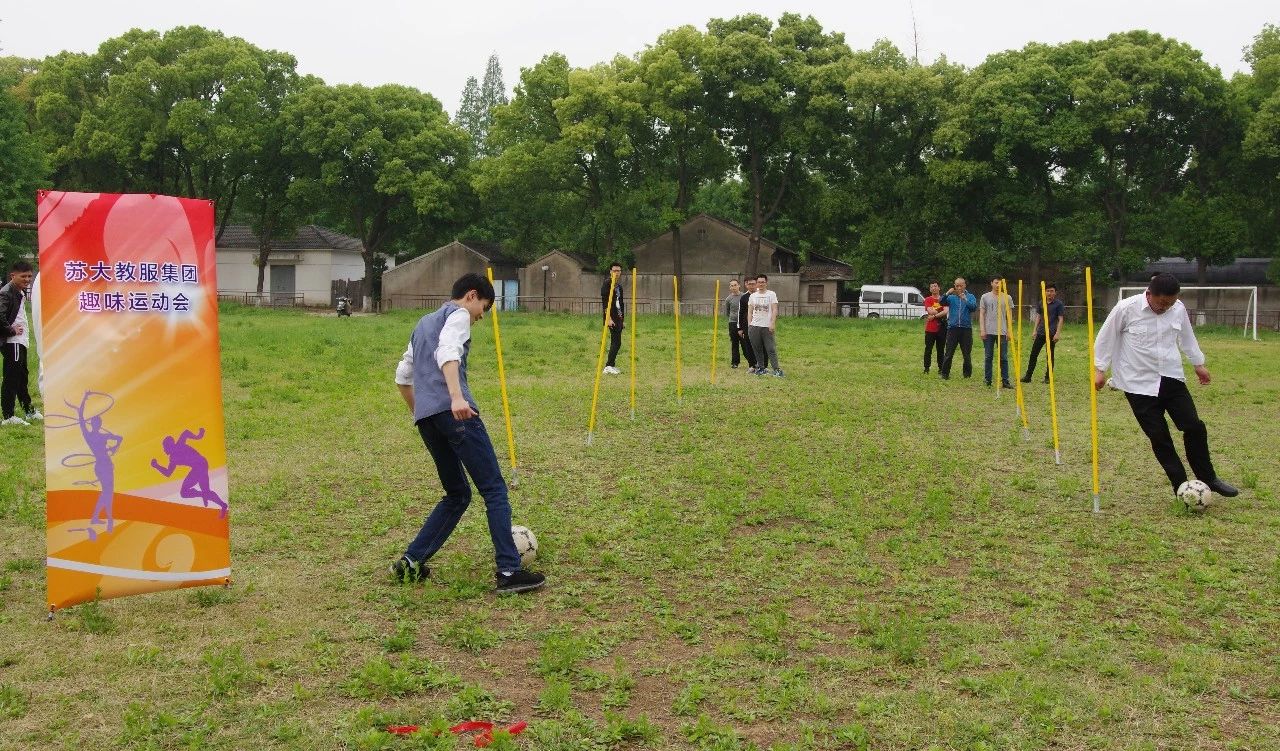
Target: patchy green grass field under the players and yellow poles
{"type": "Point", "coordinates": [853, 557]}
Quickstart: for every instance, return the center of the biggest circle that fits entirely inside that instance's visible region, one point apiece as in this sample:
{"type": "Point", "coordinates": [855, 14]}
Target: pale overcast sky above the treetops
{"type": "Point", "coordinates": [436, 47]}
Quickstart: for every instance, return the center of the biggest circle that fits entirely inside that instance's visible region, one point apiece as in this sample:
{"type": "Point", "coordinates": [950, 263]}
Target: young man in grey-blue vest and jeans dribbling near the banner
{"type": "Point", "coordinates": [433, 381]}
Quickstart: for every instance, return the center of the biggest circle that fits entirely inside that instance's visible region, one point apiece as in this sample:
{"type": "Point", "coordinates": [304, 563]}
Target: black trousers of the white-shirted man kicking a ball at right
{"type": "Point", "coordinates": [1177, 401]}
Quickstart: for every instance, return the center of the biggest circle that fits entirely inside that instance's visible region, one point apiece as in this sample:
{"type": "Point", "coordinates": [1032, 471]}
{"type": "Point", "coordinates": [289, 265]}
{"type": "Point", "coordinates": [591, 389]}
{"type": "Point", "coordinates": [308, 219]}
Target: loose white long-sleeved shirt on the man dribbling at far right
{"type": "Point", "coordinates": [1142, 347]}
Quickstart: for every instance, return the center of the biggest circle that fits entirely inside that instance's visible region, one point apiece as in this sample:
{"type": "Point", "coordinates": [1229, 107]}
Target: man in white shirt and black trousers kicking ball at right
{"type": "Point", "coordinates": [1142, 342]}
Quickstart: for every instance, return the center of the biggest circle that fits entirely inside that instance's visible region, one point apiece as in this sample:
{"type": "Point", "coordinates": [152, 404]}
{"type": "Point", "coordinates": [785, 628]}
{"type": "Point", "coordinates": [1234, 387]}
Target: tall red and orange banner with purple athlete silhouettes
{"type": "Point", "coordinates": [135, 447]}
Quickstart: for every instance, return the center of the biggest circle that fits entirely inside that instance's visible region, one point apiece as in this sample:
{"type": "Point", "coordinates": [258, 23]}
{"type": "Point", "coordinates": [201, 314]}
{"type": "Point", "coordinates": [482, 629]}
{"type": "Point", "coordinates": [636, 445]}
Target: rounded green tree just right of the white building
{"type": "Point", "coordinates": [385, 164]}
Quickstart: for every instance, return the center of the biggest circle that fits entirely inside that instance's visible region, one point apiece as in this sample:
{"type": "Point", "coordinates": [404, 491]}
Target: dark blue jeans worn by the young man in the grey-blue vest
{"type": "Point", "coordinates": [461, 448]}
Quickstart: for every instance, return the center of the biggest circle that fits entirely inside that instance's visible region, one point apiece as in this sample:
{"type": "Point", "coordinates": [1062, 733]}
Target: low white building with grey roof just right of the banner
{"type": "Point", "coordinates": [299, 272]}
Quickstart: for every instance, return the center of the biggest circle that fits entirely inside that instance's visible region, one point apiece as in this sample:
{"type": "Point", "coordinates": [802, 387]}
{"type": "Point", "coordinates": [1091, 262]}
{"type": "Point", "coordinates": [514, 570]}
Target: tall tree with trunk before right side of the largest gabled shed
{"type": "Point", "coordinates": [774, 97]}
